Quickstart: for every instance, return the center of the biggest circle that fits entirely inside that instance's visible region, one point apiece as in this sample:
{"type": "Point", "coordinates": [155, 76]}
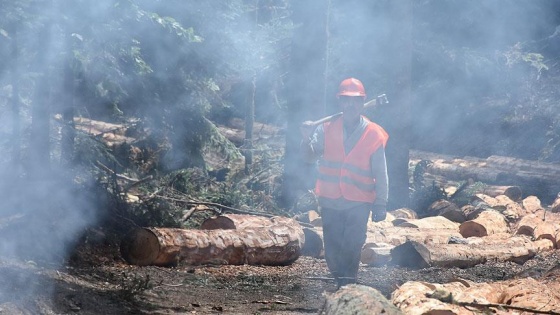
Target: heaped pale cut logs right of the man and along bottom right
{"type": "Point", "coordinates": [490, 228]}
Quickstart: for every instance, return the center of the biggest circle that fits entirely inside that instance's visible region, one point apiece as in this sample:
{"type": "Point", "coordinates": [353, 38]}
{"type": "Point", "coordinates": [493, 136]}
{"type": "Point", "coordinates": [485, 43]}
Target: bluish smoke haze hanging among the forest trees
{"type": "Point", "coordinates": [482, 79]}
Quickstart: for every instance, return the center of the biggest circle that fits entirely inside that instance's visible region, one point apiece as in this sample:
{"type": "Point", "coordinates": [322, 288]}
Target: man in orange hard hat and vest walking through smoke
{"type": "Point", "coordinates": [352, 179]}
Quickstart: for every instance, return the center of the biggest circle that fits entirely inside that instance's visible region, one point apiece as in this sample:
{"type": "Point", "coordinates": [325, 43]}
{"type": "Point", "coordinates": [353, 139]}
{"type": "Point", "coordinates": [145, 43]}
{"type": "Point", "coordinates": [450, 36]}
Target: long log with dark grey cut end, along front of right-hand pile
{"type": "Point", "coordinates": [517, 249]}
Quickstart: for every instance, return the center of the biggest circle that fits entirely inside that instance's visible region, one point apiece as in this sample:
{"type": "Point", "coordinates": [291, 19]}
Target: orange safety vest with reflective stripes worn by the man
{"type": "Point", "coordinates": [349, 175]}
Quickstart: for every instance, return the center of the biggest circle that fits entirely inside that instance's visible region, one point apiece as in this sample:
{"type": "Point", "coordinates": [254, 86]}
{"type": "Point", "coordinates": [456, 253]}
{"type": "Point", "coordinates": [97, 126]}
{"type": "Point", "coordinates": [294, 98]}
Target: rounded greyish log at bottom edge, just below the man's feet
{"type": "Point", "coordinates": [358, 299]}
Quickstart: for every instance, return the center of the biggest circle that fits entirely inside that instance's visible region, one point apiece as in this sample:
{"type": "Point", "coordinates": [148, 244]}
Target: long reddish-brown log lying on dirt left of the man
{"type": "Point", "coordinates": [273, 245]}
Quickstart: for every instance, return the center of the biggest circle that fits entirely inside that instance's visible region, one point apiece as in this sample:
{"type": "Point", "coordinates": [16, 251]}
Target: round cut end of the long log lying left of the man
{"type": "Point", "coordinates": [140, 247]}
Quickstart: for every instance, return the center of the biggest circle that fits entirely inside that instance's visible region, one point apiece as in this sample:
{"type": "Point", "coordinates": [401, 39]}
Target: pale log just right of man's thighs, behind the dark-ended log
{"type": "Point", "coordinates": [396, 235]}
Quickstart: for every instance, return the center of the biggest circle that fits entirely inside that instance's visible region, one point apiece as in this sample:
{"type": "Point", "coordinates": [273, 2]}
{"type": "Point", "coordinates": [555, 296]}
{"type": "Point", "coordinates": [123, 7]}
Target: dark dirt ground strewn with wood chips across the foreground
{"type": "Point", "coordinates": [95, 280]}
